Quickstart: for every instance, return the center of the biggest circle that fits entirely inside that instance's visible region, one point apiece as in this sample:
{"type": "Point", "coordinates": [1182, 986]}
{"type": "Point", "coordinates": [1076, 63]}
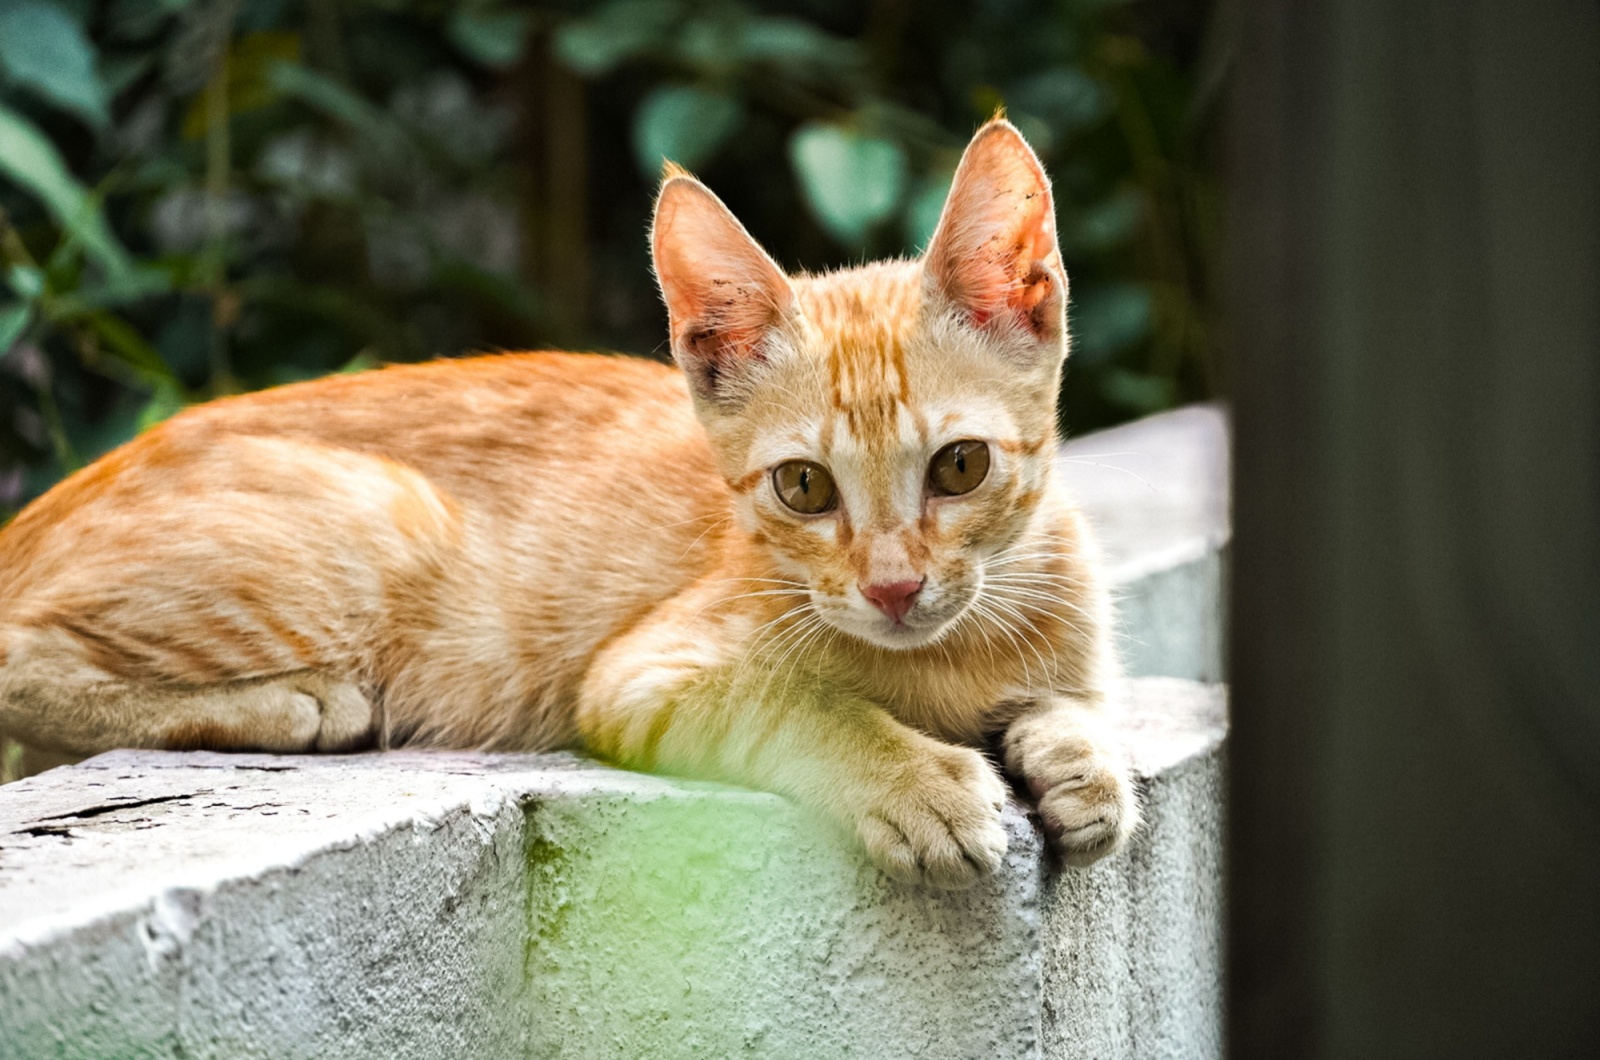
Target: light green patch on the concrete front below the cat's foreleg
{"type": "Point", "coordinates": [650, 923]}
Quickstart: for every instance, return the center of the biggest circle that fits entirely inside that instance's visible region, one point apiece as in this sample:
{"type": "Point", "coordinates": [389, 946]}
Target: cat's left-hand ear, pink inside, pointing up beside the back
{"type": "Point", "coordinates": [724, 294]}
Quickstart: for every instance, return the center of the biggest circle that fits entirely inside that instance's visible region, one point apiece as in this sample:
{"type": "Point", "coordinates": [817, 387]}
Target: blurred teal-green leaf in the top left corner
{"type": "Point", "coordinates": [46, 52]}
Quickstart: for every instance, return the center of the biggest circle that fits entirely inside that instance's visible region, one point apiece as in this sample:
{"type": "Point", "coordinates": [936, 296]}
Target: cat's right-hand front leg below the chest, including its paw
{"type": "Point", "coordinates": [1076, 769]}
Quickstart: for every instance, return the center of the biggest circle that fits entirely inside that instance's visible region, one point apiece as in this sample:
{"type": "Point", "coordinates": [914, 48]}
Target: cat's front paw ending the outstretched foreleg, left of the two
{"type": "Point", "coordinates": [937, 821]}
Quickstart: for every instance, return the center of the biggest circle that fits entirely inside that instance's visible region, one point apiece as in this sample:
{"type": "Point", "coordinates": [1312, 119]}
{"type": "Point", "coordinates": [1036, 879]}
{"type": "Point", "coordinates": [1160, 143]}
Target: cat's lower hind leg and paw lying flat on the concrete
{"type": "Point", "coordinates": [55, 701]}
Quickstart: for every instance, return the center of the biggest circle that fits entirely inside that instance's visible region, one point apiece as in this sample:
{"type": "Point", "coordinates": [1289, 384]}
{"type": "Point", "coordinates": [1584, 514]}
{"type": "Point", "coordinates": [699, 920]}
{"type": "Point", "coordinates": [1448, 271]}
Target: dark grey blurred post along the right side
{"type": "Point", "coordinates": [1417, 644]}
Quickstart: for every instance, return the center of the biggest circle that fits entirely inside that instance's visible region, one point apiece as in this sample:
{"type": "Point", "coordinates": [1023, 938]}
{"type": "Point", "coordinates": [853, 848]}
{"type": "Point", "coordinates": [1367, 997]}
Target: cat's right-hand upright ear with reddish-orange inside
{"type": "Point", "coordinates": [994, 254]}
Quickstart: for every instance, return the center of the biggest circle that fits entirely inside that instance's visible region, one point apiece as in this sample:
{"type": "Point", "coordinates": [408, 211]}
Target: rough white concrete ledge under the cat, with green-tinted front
{"type": "Point", "coordinates": [468, 905]}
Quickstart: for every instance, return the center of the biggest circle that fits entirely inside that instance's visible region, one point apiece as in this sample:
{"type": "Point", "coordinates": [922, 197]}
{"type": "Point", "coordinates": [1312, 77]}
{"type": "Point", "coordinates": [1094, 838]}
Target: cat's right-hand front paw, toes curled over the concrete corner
{"type": "Point", "coordinates": [1086, 797]}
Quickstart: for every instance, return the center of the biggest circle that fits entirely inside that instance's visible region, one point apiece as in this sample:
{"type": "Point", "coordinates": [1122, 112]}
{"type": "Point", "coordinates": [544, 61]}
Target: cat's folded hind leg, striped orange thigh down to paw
{"type": "Point", "coordinates": [230, 598]}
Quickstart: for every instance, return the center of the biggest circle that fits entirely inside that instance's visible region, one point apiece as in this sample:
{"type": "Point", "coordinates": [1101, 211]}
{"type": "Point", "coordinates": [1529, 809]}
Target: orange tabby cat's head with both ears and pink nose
{"type": "Point", "coordinates": [887, 430]}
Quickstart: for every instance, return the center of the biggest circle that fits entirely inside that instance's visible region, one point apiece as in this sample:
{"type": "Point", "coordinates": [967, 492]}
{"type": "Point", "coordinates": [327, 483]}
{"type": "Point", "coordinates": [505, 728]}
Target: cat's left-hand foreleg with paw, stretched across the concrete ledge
{"type": "Point", "coordinates": [668, 697]}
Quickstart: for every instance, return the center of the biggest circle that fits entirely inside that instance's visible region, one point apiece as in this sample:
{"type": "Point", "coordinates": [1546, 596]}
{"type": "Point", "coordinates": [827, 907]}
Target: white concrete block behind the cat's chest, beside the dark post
{"type": "Point", "coordinates": [1158, 492]}
